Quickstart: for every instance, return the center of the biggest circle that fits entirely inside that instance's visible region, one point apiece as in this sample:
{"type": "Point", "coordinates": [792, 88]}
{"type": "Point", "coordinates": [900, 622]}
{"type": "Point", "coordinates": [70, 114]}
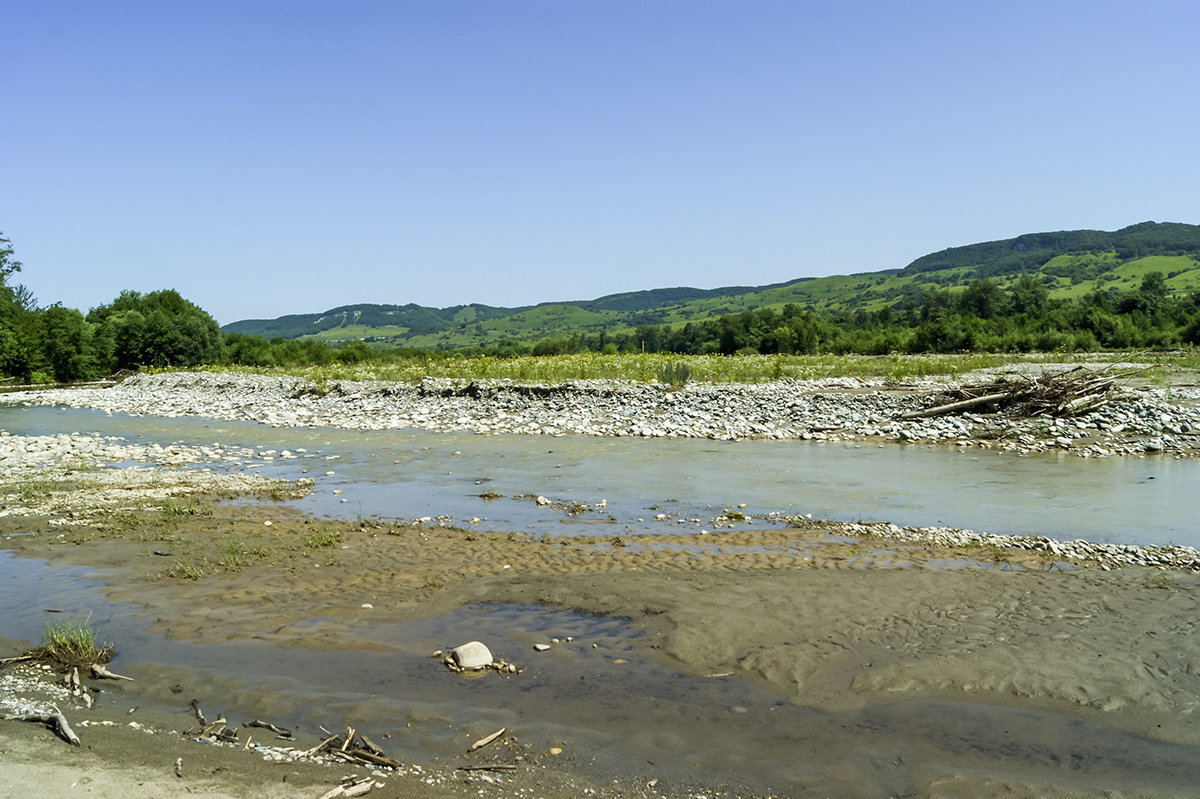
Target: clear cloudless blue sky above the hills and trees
{"type": "Point", "coordinates": [287, 157]}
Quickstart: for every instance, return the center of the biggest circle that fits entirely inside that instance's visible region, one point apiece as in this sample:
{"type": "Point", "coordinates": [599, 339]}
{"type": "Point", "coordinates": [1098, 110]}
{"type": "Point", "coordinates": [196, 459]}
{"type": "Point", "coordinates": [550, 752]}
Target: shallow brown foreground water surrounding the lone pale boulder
{"type": "Point", "coordinates": [614, 712]}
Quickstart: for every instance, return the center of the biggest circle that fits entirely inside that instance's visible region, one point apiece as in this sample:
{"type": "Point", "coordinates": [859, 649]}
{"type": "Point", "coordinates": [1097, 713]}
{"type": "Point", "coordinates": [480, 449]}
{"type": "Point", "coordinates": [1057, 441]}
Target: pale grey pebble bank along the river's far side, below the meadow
{"type": "Point", "coordinates": [1143, 420]}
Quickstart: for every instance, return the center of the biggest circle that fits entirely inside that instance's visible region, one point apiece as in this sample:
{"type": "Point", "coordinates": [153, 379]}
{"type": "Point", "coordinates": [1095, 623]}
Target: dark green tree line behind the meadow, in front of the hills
{"type": "Point", "coordinates": [161, 329]}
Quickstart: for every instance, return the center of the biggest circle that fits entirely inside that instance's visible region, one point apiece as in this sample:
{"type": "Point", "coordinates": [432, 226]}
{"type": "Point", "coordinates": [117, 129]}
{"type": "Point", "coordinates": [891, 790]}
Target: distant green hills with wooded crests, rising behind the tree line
{"type": "Point", "coordinates": [1070, 263]}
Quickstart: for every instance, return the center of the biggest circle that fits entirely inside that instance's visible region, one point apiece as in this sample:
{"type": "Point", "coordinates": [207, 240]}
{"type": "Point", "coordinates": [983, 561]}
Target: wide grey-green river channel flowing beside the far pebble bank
{"type": "Point", "coordinates": [409, 474]}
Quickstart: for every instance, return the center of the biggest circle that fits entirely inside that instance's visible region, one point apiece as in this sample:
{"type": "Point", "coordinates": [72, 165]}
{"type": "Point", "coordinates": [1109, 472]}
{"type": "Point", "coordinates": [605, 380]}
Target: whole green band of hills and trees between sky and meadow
{"type": "Point", "coordinates": [1138, 287]}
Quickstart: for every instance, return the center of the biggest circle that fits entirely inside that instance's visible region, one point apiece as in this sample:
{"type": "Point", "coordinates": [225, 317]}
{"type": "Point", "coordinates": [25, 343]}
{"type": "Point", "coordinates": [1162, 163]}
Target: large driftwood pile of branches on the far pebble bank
{"type": "Point", "coordinates": [1067, 394]}
